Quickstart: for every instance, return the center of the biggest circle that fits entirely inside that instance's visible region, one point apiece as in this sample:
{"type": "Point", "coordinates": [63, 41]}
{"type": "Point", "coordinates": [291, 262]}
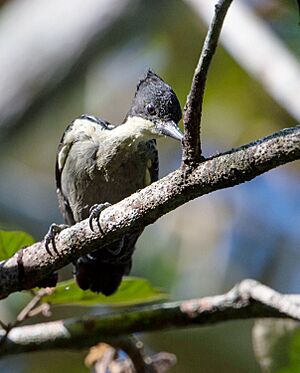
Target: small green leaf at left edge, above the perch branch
{"type": "Point", "coordinates": [12, 241]}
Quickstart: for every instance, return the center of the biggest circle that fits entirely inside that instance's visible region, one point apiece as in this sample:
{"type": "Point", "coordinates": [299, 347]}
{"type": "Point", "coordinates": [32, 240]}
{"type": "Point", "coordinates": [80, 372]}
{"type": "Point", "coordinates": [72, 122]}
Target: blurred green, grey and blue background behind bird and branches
{"type": "Point", "coordinates": [64, 58]}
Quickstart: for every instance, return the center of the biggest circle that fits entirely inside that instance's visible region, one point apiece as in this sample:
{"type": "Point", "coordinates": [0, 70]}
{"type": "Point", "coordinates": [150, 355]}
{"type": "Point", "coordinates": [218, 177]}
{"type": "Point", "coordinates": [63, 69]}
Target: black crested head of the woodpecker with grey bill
{"type": "Point", "coordinates": [155, 108]}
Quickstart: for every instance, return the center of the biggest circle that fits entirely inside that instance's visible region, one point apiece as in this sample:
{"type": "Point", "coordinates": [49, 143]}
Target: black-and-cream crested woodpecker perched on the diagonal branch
{"type": "Point", "coordinates": [99, 163]}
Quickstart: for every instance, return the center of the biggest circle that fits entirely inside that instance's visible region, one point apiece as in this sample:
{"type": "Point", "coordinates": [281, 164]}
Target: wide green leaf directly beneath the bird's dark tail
{"type": "Point", "coordinates": [132, 291]}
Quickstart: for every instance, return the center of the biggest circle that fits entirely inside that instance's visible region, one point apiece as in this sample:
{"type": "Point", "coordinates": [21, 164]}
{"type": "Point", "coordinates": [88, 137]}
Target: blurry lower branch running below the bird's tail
{"type": "Point", "coordinates": [249, 299]}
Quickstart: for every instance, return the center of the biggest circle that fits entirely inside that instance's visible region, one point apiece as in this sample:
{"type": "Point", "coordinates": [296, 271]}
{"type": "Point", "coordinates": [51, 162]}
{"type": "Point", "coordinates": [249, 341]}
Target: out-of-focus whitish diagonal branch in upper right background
{"type": "Point", "coordinates": [271, 52]}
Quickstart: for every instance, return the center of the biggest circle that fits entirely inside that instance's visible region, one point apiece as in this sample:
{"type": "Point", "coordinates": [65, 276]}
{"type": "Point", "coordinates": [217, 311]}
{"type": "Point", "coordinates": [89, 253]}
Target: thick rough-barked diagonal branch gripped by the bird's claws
{"type": "Point", "coordinates": [28, 267]}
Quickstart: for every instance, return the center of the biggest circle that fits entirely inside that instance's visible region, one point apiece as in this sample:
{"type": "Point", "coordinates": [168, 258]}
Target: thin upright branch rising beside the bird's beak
{"type": "Point", "coordinates": [193, 107]}
